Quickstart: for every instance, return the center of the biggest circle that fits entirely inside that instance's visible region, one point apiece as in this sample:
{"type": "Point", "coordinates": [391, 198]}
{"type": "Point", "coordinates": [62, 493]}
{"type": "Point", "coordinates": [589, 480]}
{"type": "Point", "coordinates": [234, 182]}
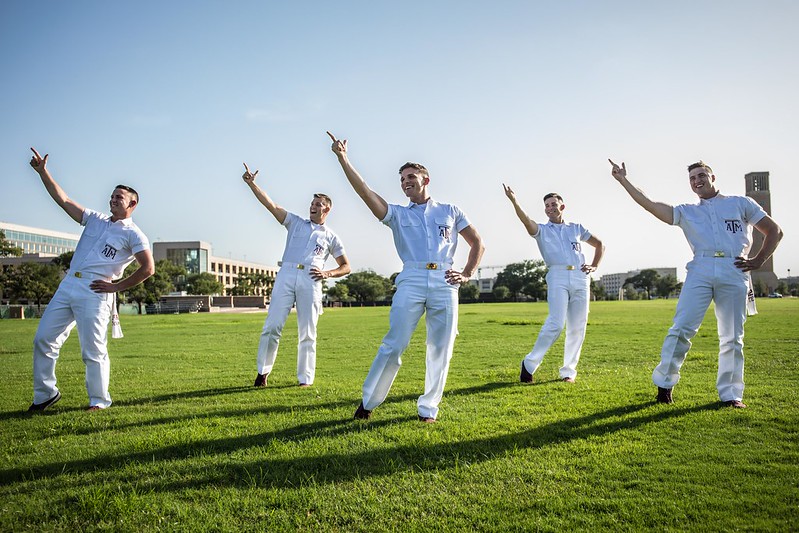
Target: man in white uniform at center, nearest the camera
{"type": "Point", "coordinates": [425, 236]}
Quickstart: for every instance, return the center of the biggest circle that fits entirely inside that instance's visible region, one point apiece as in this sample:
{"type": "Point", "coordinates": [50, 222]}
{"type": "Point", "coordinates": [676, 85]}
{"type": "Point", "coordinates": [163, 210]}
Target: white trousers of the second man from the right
{"type": "Point", "coordinates": [567, 296]}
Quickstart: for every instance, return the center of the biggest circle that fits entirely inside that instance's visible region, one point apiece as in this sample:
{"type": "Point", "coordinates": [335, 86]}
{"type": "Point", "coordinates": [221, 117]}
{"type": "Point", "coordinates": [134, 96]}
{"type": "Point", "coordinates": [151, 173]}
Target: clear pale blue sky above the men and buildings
{"type": "Point", "coordinates": [171, 97]}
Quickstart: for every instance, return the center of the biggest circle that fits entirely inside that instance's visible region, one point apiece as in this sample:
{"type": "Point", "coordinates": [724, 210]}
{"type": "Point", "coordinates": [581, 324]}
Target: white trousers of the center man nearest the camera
{"type": "Point", "coordinates": [418, 291]}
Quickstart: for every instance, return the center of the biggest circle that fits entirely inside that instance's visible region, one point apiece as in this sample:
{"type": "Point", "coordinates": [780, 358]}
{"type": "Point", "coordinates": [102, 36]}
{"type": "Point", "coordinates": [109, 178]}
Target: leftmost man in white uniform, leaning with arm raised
{"type": "Point", "coordinates": [85, 296]}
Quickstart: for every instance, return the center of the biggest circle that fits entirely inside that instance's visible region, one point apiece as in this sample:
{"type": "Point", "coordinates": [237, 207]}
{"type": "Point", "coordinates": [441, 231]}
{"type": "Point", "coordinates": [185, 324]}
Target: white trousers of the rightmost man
{"type": "Point", "coordinates": [717, 279]}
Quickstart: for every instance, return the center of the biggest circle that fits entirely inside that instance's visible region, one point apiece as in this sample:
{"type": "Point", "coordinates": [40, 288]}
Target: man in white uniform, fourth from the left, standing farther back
{"type": "Point", "coordinates": [568, 283]}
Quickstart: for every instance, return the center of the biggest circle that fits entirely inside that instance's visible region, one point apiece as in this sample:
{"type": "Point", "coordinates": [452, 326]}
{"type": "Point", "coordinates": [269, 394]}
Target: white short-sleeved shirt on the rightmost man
{"type": "Point", "coordinates": [722, 223]}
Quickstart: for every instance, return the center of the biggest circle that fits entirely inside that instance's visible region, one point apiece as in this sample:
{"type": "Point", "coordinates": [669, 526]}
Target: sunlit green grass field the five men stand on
{"type": "Point", "coordinates": [190, 445]}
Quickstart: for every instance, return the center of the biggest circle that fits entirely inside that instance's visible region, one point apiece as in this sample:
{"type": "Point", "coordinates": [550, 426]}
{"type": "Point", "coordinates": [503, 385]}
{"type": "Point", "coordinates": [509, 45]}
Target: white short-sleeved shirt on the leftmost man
{"type": "Point", "coordinates": [105, 248]}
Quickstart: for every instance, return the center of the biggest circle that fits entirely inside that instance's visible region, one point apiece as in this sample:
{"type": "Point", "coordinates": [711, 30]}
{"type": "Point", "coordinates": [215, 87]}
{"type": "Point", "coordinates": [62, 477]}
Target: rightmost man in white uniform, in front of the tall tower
{"type": "Point", "coordinates": [719, 231]}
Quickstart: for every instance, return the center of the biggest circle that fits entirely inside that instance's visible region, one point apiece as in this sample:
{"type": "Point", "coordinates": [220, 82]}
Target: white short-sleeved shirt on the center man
{"type": "Point", "coordinates": [425, 232]}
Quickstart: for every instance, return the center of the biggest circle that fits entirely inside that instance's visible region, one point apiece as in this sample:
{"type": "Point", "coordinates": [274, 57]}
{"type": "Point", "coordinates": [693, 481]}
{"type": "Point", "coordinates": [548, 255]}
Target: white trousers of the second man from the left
{"type": "Point", "coordinates": [292, 286]}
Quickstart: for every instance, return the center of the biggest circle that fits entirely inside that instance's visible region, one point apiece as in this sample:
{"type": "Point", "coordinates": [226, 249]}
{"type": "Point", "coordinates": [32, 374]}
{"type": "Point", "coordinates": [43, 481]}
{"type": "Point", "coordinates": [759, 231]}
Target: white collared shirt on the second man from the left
{"type": "Point", "coordinates": [309, 243]}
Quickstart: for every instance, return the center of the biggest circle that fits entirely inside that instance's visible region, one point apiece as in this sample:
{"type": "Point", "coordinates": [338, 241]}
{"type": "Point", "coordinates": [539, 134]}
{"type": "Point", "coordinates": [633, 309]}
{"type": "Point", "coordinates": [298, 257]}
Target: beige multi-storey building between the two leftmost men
{"type": "Point", "coordinates": [196, 258]}
